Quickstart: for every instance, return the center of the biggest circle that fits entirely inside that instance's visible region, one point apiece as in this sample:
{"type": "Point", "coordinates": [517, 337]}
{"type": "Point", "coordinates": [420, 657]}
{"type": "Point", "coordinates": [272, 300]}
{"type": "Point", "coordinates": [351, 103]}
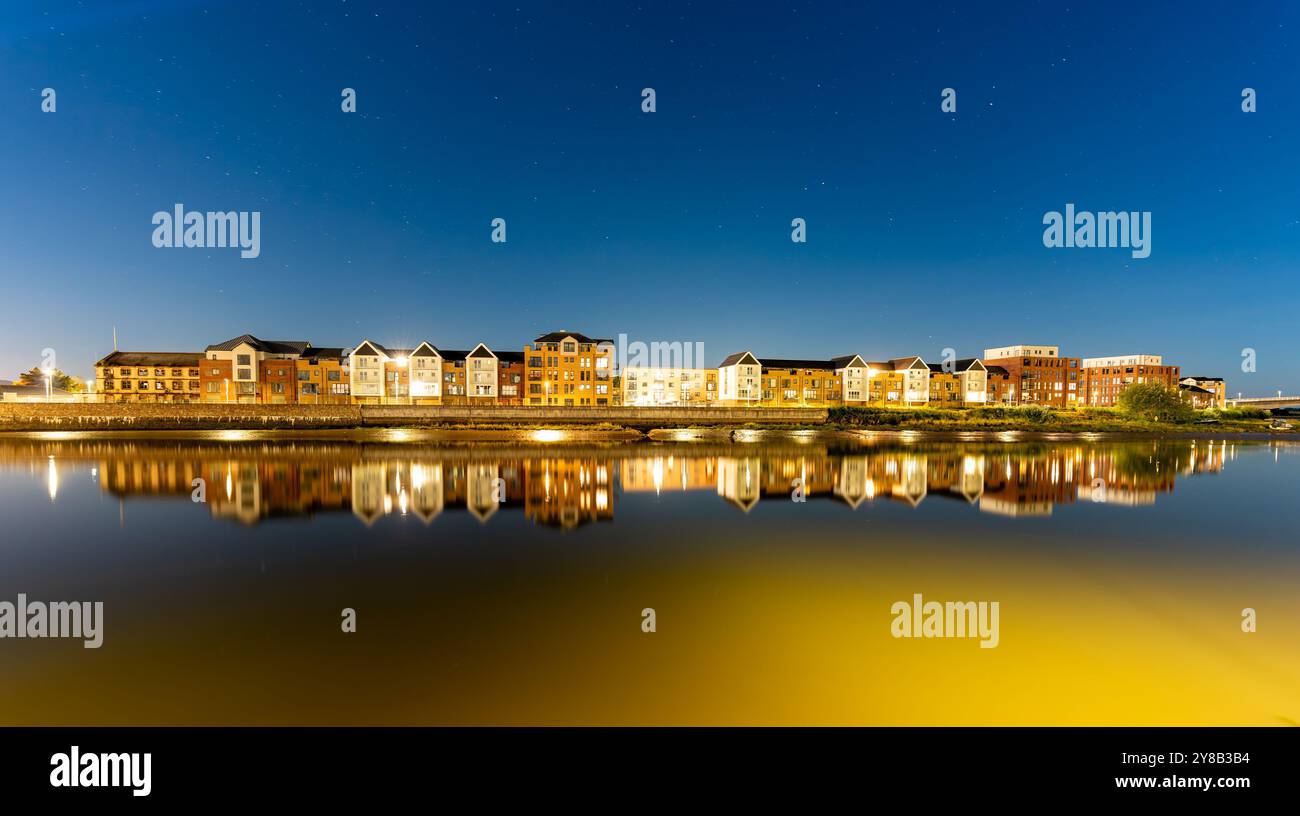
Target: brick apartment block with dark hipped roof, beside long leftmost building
{"type": "Point", "coordinates": [248, 370]}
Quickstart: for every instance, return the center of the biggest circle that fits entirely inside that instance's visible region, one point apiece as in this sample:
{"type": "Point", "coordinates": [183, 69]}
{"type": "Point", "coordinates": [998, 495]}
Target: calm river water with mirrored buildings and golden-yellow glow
{"type": "Point", "coordinates": [1121, 570]}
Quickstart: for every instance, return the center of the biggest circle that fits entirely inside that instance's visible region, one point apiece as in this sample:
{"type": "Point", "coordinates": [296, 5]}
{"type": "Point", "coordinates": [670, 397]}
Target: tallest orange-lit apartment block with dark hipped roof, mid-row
{"type": "Point", "coordinates": [566, 368]}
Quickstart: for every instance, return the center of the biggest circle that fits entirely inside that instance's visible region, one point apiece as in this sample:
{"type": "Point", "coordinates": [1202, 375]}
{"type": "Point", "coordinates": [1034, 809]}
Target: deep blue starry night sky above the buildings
{"type": "Point", "coordinates": [925, 228]}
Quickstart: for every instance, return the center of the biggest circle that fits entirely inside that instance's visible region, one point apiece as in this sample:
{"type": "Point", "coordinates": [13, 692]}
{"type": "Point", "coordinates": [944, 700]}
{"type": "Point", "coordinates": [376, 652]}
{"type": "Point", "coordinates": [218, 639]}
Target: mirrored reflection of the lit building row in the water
{"type": "Point", "coordinates": [573, 488]}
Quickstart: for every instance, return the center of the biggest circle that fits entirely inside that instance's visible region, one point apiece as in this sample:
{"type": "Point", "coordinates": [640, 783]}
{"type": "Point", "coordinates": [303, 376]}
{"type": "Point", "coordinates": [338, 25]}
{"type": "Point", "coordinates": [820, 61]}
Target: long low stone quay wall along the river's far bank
{"type": "Point", "coordinates": [144, 416]}
